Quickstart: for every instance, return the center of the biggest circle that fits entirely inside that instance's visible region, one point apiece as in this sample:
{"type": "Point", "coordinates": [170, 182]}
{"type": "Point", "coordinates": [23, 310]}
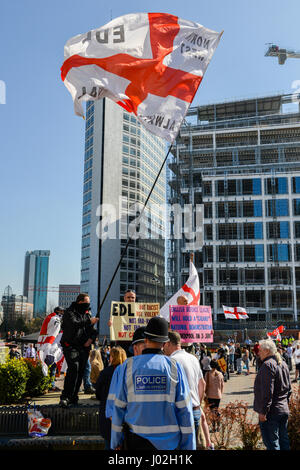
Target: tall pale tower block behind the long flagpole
{"type": "Point", "coordinates": [121, 162]}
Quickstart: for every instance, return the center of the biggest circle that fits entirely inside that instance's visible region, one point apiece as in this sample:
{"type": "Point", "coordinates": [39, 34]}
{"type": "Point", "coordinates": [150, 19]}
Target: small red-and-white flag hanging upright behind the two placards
{"type": "Point", "coordinates": [191, 289]}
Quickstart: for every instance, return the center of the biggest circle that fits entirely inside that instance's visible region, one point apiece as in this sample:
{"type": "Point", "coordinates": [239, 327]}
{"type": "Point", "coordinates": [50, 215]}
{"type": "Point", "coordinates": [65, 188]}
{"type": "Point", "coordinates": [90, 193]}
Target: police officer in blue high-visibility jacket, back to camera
{"type": "Point", "coordinates": [153, 399]}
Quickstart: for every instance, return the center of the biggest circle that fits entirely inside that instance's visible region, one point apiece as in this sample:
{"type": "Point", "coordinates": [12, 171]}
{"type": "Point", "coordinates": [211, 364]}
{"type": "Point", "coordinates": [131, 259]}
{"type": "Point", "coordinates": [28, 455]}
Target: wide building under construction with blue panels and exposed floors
{"type": "Point", "coordinates": [241, 161]}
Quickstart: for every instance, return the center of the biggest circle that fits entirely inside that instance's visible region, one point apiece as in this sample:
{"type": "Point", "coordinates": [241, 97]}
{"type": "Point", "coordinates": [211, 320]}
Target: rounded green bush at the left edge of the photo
{"type": "Point", "coordinates": [13, 378]}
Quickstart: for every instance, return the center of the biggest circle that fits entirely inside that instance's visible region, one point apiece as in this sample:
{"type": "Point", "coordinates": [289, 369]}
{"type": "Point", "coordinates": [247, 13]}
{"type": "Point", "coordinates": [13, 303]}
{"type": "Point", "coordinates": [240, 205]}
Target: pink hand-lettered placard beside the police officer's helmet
{"type": "Point", "coordinates": [192, 322]}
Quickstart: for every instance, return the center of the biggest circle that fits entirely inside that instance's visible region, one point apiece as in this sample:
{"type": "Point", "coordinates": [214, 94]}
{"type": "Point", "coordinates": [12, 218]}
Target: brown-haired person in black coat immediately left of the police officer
{"type": "Point", "coordinates": [117, 357]}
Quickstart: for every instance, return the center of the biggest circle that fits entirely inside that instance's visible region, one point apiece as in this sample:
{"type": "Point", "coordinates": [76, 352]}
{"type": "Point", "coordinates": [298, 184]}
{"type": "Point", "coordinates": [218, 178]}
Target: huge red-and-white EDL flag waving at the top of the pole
{"type": "Point", "coordinates": [151, 64]}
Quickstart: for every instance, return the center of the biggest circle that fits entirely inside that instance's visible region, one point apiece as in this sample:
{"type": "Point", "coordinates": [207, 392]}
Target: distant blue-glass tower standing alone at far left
{"type": "Point", "coordinates": [35, 285]}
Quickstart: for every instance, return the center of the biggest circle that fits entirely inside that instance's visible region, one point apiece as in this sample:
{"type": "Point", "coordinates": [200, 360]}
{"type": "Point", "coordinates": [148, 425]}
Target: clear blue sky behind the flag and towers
{"type": "Point", "coordinates": [42, 141]}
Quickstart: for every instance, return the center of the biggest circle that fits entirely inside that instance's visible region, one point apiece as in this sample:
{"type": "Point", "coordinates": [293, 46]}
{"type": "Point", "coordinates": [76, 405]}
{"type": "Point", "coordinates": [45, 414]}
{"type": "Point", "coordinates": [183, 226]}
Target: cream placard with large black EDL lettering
{"type": "Point", "coordinates": [126, 317]}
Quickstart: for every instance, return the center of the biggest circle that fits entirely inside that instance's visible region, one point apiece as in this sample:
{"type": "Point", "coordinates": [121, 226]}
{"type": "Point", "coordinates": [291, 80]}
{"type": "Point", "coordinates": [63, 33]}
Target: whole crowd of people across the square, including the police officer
{"type": "Point", "coordinates": [152, 392]}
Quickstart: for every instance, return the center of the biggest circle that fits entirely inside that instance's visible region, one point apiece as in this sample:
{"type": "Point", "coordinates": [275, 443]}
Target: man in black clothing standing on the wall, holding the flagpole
{"type": "Point", "coordinates": [78, 335]}
